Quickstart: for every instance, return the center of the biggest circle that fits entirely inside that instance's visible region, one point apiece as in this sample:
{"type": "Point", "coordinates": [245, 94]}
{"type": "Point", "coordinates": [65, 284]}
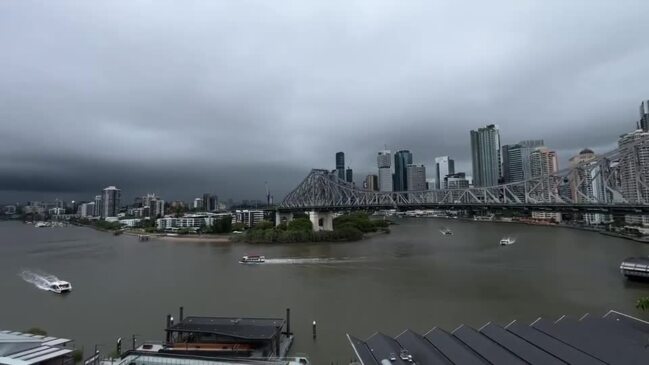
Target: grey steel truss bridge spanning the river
{"type": "Point", "coordinates": [613, 183]}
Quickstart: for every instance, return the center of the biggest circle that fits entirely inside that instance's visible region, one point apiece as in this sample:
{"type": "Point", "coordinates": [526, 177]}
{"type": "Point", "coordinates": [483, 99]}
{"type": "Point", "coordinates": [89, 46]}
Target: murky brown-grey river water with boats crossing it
{"type": "Point", "coordinates": [412, 278]}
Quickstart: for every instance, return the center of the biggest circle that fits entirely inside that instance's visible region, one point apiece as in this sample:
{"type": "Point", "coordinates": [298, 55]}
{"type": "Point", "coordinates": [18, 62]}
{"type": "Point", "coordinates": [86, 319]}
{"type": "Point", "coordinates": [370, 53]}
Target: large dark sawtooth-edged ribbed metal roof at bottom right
{"type": "Point", "coordinates": [615, 338]}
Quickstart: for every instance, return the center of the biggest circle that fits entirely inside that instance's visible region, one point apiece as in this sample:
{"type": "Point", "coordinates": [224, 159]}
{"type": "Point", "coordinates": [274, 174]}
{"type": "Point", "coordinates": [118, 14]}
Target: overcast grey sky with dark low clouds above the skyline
{"type": "Point", "coordinates": [185, 97]}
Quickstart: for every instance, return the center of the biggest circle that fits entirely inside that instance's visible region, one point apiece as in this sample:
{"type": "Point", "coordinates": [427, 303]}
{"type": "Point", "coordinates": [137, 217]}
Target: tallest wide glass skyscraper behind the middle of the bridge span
{"type": "Point", "coordinates": [485, 154]}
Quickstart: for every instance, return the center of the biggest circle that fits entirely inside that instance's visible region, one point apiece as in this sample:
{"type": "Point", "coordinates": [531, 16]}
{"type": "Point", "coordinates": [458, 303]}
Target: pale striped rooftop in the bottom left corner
{"type": "Point", "coordinates": [17, 348]}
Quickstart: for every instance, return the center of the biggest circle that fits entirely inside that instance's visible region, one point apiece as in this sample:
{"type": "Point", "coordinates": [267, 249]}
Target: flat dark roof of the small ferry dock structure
{"type": "Point", "coordinates": [243, 328]}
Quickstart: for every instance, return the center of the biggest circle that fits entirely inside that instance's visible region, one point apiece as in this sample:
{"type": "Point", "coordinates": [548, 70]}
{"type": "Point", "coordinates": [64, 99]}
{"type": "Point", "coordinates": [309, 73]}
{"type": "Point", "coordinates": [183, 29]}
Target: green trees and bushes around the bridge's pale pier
{"type": "Point", "coordinates": [347, 228]}
